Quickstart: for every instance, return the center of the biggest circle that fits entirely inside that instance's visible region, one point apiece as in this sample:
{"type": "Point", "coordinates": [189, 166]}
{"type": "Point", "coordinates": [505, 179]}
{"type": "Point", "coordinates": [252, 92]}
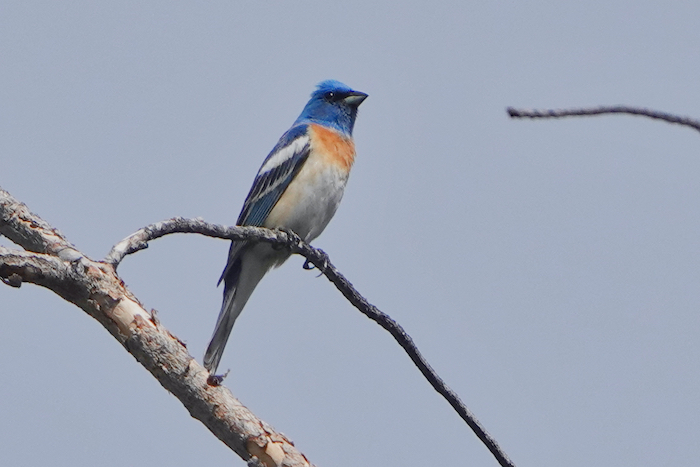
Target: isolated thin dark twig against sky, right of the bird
{"type": "Point", "coordinates": [617, 109]}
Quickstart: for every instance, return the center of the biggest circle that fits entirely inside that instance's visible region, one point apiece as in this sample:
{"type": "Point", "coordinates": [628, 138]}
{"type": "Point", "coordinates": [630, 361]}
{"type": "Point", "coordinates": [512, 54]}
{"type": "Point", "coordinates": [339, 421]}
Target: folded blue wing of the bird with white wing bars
{"type": "Point", "coordinates": [277, 171]}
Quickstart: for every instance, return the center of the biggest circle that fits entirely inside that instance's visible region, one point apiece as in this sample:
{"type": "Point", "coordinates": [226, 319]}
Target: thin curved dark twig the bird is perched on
{"type": "Point", "coordinates": [320, 259]}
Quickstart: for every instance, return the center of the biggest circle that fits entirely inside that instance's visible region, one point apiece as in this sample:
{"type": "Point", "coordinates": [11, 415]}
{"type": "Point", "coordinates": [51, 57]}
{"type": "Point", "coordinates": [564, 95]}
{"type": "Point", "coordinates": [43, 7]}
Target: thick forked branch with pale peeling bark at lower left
{"type": "Point", "coordinates": [96, 288]}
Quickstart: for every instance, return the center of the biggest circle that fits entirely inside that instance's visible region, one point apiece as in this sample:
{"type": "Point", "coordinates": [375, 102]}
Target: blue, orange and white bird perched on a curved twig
{"type": "Point", "coordinates": [298, 187]}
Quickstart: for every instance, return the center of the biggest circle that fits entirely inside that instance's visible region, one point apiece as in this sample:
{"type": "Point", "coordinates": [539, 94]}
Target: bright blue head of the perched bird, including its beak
{"type": "Point", "coordinates": [333, 104]}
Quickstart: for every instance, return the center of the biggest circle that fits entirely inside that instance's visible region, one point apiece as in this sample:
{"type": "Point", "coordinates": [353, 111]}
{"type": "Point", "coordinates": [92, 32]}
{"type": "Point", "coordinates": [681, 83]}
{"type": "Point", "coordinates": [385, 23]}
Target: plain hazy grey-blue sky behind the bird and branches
{"type": "Point", "coordinates": [548, 270]}
